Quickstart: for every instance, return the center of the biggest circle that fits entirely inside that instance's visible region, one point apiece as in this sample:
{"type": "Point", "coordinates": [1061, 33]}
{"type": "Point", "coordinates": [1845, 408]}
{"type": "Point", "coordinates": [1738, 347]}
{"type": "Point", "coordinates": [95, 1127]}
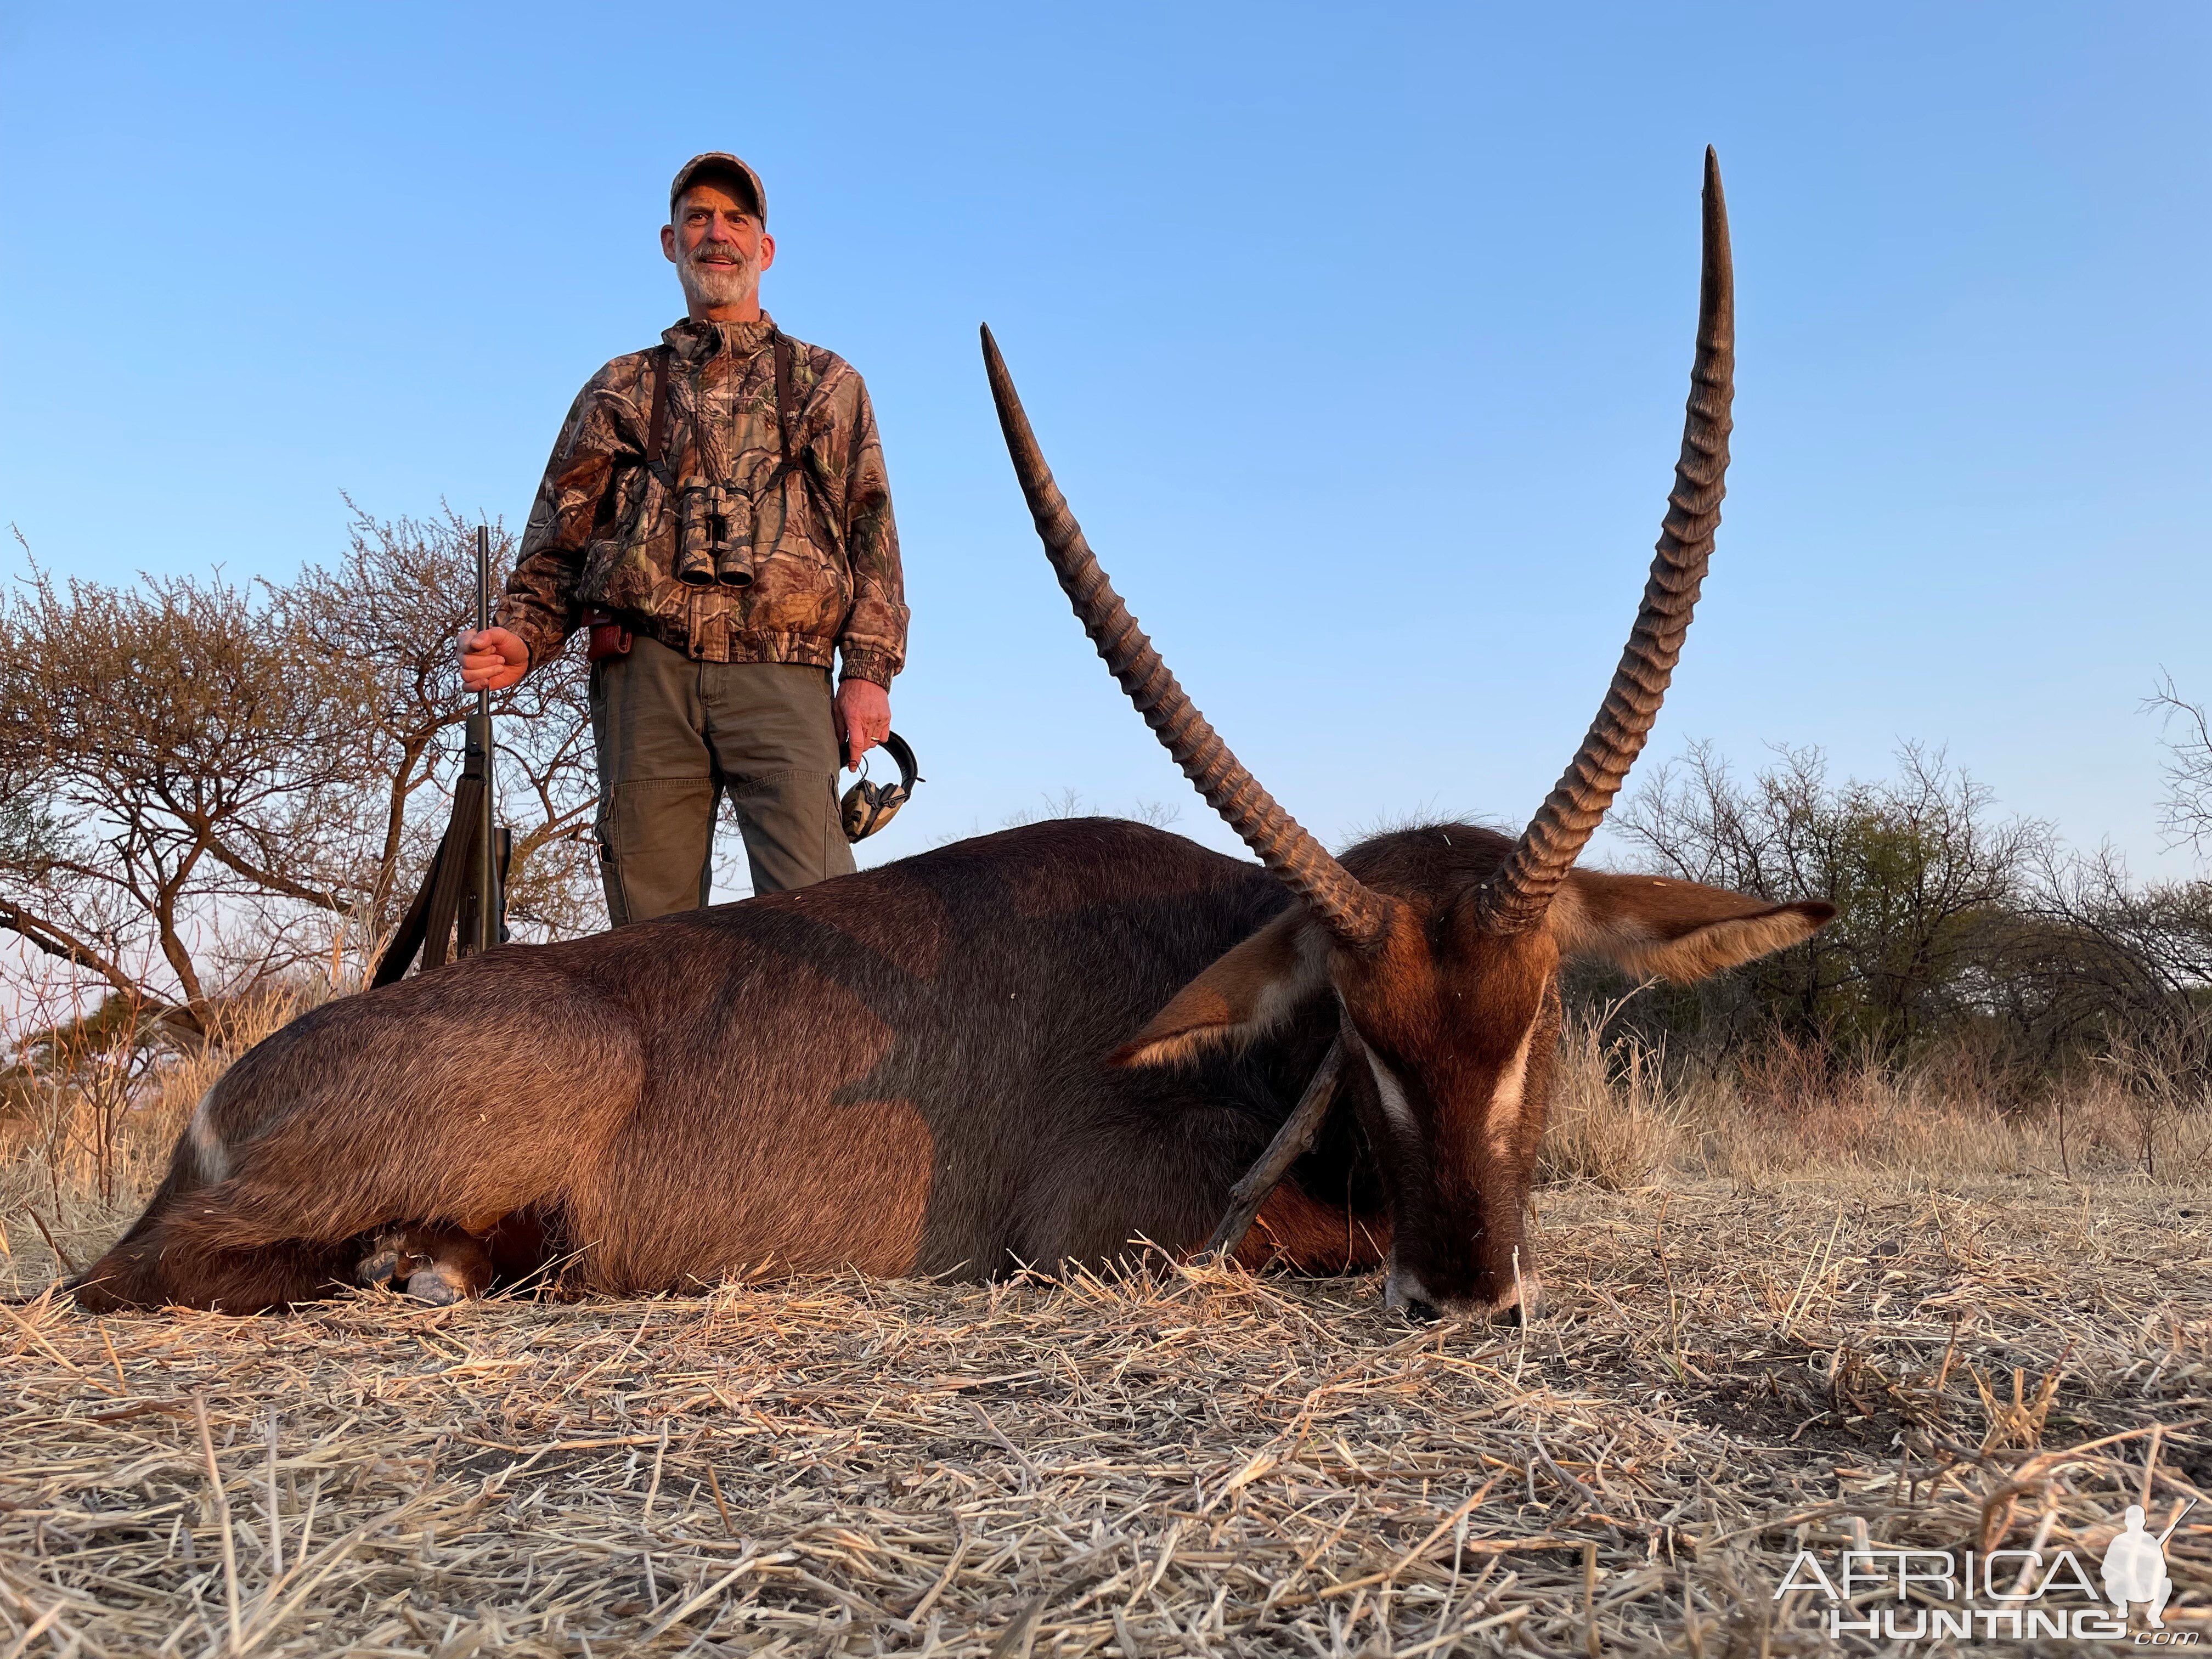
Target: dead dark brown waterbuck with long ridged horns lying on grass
{"type": "Point", "coordinates": [1030, 1047]}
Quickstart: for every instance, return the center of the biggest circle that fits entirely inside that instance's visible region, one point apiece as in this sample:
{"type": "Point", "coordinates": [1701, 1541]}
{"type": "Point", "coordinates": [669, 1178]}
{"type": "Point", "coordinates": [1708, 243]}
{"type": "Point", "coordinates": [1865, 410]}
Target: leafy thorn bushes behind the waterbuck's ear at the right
{"type": "Point", "coordinates": [1952, 921]}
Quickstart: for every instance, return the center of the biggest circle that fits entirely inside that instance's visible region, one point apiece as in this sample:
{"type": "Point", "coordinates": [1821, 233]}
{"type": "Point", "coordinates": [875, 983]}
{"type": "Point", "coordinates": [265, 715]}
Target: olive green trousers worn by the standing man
{"type": "Point", "coordinates": [674, 738]}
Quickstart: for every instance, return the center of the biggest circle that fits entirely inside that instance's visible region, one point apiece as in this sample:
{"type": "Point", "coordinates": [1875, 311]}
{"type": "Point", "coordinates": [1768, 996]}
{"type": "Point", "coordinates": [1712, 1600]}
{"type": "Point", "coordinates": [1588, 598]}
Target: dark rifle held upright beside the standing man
{"type": "Point", "coordinates": [468, 879]}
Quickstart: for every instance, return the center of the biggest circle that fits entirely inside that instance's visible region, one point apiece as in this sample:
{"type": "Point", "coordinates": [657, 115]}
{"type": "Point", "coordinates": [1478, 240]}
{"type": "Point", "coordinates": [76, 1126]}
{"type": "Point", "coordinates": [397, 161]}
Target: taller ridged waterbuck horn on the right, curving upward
{"type": "Point", "coordinates": [1574, 811]}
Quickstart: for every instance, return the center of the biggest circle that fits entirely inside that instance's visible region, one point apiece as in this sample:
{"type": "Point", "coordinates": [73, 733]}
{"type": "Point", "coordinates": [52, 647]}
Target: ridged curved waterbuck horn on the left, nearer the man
{"type": "Point", "coordinates": [1350, 910]}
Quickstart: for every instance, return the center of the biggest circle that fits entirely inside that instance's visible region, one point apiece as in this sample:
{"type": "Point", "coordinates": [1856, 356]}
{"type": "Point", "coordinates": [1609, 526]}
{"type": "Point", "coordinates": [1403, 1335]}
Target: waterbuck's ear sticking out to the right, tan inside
{"type": "Point", "coordinates": [1673, 928]}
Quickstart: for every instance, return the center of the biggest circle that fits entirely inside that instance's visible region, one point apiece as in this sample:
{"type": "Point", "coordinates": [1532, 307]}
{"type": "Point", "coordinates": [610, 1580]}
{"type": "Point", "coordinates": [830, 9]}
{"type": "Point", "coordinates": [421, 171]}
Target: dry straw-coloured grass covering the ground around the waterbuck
{"type": "Point", "coordinates": [1740, 1359]}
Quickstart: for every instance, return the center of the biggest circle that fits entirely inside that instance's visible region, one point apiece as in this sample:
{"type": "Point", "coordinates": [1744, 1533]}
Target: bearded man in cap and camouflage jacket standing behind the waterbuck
{"type": "Point", "coordinates": [720, 508]}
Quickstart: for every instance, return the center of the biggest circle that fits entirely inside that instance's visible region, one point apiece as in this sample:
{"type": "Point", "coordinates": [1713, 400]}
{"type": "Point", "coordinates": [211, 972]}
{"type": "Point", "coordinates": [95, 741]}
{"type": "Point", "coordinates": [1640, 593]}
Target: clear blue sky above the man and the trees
{"type": "Point", "coordinates": [1359, 340]}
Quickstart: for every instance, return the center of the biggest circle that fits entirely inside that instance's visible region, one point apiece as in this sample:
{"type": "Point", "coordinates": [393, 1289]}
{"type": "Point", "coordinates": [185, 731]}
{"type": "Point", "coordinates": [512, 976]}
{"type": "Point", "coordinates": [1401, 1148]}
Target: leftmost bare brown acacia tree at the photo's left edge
{"type": "Point", "coordinates": [156, 744]}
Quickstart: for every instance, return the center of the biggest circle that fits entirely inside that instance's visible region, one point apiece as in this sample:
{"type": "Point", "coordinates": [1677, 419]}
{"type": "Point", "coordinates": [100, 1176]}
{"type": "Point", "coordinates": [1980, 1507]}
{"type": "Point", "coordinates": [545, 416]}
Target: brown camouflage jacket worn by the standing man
{"type": "Point", "coordinates": [603, 534]}
